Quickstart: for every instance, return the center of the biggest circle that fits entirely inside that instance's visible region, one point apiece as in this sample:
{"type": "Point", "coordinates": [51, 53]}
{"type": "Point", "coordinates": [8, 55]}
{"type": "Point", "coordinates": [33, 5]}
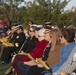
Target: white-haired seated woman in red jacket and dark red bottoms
{"type": "Point", "coordinates": [36, 52]}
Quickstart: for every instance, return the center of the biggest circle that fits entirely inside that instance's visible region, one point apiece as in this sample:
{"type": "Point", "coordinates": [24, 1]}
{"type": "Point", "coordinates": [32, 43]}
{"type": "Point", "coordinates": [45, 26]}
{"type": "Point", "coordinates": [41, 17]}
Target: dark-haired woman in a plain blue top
{"type": "Point", "coordinates": [67, 38]}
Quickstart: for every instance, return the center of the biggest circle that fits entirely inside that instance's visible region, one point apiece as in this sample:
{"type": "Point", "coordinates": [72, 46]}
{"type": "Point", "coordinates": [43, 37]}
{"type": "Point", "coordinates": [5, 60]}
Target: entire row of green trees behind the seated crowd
{"type": "Point", "coordinates": [39, 11]}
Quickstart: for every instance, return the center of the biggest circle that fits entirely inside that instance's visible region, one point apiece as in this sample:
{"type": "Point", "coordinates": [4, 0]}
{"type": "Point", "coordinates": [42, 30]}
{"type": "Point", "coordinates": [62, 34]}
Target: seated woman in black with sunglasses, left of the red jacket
{"type": "Point", "coordinates": [29, 44]}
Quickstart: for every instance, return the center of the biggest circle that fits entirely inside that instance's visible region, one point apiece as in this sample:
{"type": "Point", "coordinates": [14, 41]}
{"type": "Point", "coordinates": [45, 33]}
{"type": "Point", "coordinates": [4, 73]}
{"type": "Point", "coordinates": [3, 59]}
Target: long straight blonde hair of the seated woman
{"type": "Point", "coordinates": [55, 35]}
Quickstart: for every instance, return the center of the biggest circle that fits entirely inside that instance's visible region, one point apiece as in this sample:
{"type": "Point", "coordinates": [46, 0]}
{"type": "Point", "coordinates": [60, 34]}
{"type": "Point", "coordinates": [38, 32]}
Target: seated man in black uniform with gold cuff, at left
{"type": "Point", "coordinates": [15, 45]}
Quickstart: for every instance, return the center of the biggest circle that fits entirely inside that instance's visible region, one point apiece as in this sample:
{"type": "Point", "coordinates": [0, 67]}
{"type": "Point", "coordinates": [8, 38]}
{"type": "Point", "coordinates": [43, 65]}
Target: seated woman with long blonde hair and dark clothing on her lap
{"type": "Point", "coordinates": [36, 69]}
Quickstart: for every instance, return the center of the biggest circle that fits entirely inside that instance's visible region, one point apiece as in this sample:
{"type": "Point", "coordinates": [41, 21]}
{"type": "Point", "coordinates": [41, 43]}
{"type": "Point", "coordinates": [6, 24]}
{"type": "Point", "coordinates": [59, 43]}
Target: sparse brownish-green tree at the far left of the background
{"type": "Point", "coordinates": [9, 8]}
